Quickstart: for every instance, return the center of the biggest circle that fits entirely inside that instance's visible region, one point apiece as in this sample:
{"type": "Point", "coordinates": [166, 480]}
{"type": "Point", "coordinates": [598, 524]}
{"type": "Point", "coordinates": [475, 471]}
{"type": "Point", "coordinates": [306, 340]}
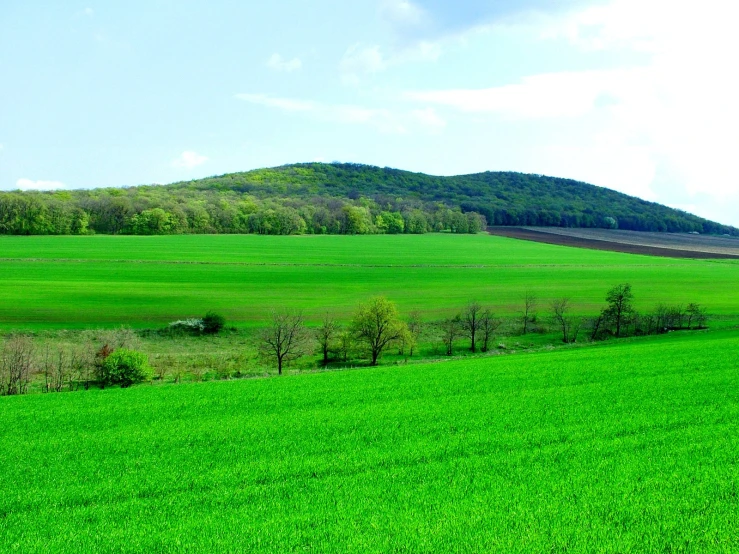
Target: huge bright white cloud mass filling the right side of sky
{"type": "Point", "coordinates": [662, 128]}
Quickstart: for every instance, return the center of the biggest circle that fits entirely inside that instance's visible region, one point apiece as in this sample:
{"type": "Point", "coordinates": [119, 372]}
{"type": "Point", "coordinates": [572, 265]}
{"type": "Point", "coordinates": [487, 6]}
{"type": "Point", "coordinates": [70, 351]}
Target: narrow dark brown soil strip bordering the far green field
{"type": "Point", "coordinates": [594, 244]}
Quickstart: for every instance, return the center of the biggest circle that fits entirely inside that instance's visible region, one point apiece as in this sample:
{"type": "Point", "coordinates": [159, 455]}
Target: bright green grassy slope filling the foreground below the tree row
{"type": "Point", "coordinates": [627, 446]}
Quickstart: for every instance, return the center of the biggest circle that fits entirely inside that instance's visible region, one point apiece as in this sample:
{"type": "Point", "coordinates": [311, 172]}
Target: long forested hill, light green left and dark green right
{"type": "Point", "coordinates": [340, 198]}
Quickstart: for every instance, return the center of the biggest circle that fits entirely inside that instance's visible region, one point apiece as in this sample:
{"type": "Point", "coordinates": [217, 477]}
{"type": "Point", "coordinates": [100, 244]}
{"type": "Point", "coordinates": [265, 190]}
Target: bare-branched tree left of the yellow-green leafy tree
{"type": "Point", "coordinates": [285, 339]}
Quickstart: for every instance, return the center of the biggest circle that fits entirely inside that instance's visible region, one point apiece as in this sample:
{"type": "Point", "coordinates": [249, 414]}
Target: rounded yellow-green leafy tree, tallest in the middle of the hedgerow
{"type": "Point", "coordinates": [376, 325]}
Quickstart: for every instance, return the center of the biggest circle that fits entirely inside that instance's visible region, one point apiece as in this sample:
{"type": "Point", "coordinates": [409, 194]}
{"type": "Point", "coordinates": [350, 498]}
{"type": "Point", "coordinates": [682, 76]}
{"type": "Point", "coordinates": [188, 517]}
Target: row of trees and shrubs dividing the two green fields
{"type": "Point", "coordinates": [114, 357]}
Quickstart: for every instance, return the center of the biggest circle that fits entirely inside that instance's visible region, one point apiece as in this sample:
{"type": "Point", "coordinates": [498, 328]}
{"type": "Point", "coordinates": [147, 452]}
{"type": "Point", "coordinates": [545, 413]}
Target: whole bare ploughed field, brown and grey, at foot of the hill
{"type": "Point", "coordinates": [671, 245]}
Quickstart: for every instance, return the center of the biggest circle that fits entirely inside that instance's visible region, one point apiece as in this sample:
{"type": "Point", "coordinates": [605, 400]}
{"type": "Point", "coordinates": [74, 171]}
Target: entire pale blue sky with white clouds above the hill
{"type": "Point", "coordinates": [635, 95]}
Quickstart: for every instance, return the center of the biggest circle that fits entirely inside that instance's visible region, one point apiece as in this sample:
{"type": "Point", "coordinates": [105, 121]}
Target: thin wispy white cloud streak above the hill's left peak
{"type": "Point", "coordinates": [381, 119]}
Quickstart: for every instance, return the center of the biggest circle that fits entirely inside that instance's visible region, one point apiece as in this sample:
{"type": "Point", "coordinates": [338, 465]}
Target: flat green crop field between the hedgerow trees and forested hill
{"type": "Point", "coordinates": [67, 282]}
